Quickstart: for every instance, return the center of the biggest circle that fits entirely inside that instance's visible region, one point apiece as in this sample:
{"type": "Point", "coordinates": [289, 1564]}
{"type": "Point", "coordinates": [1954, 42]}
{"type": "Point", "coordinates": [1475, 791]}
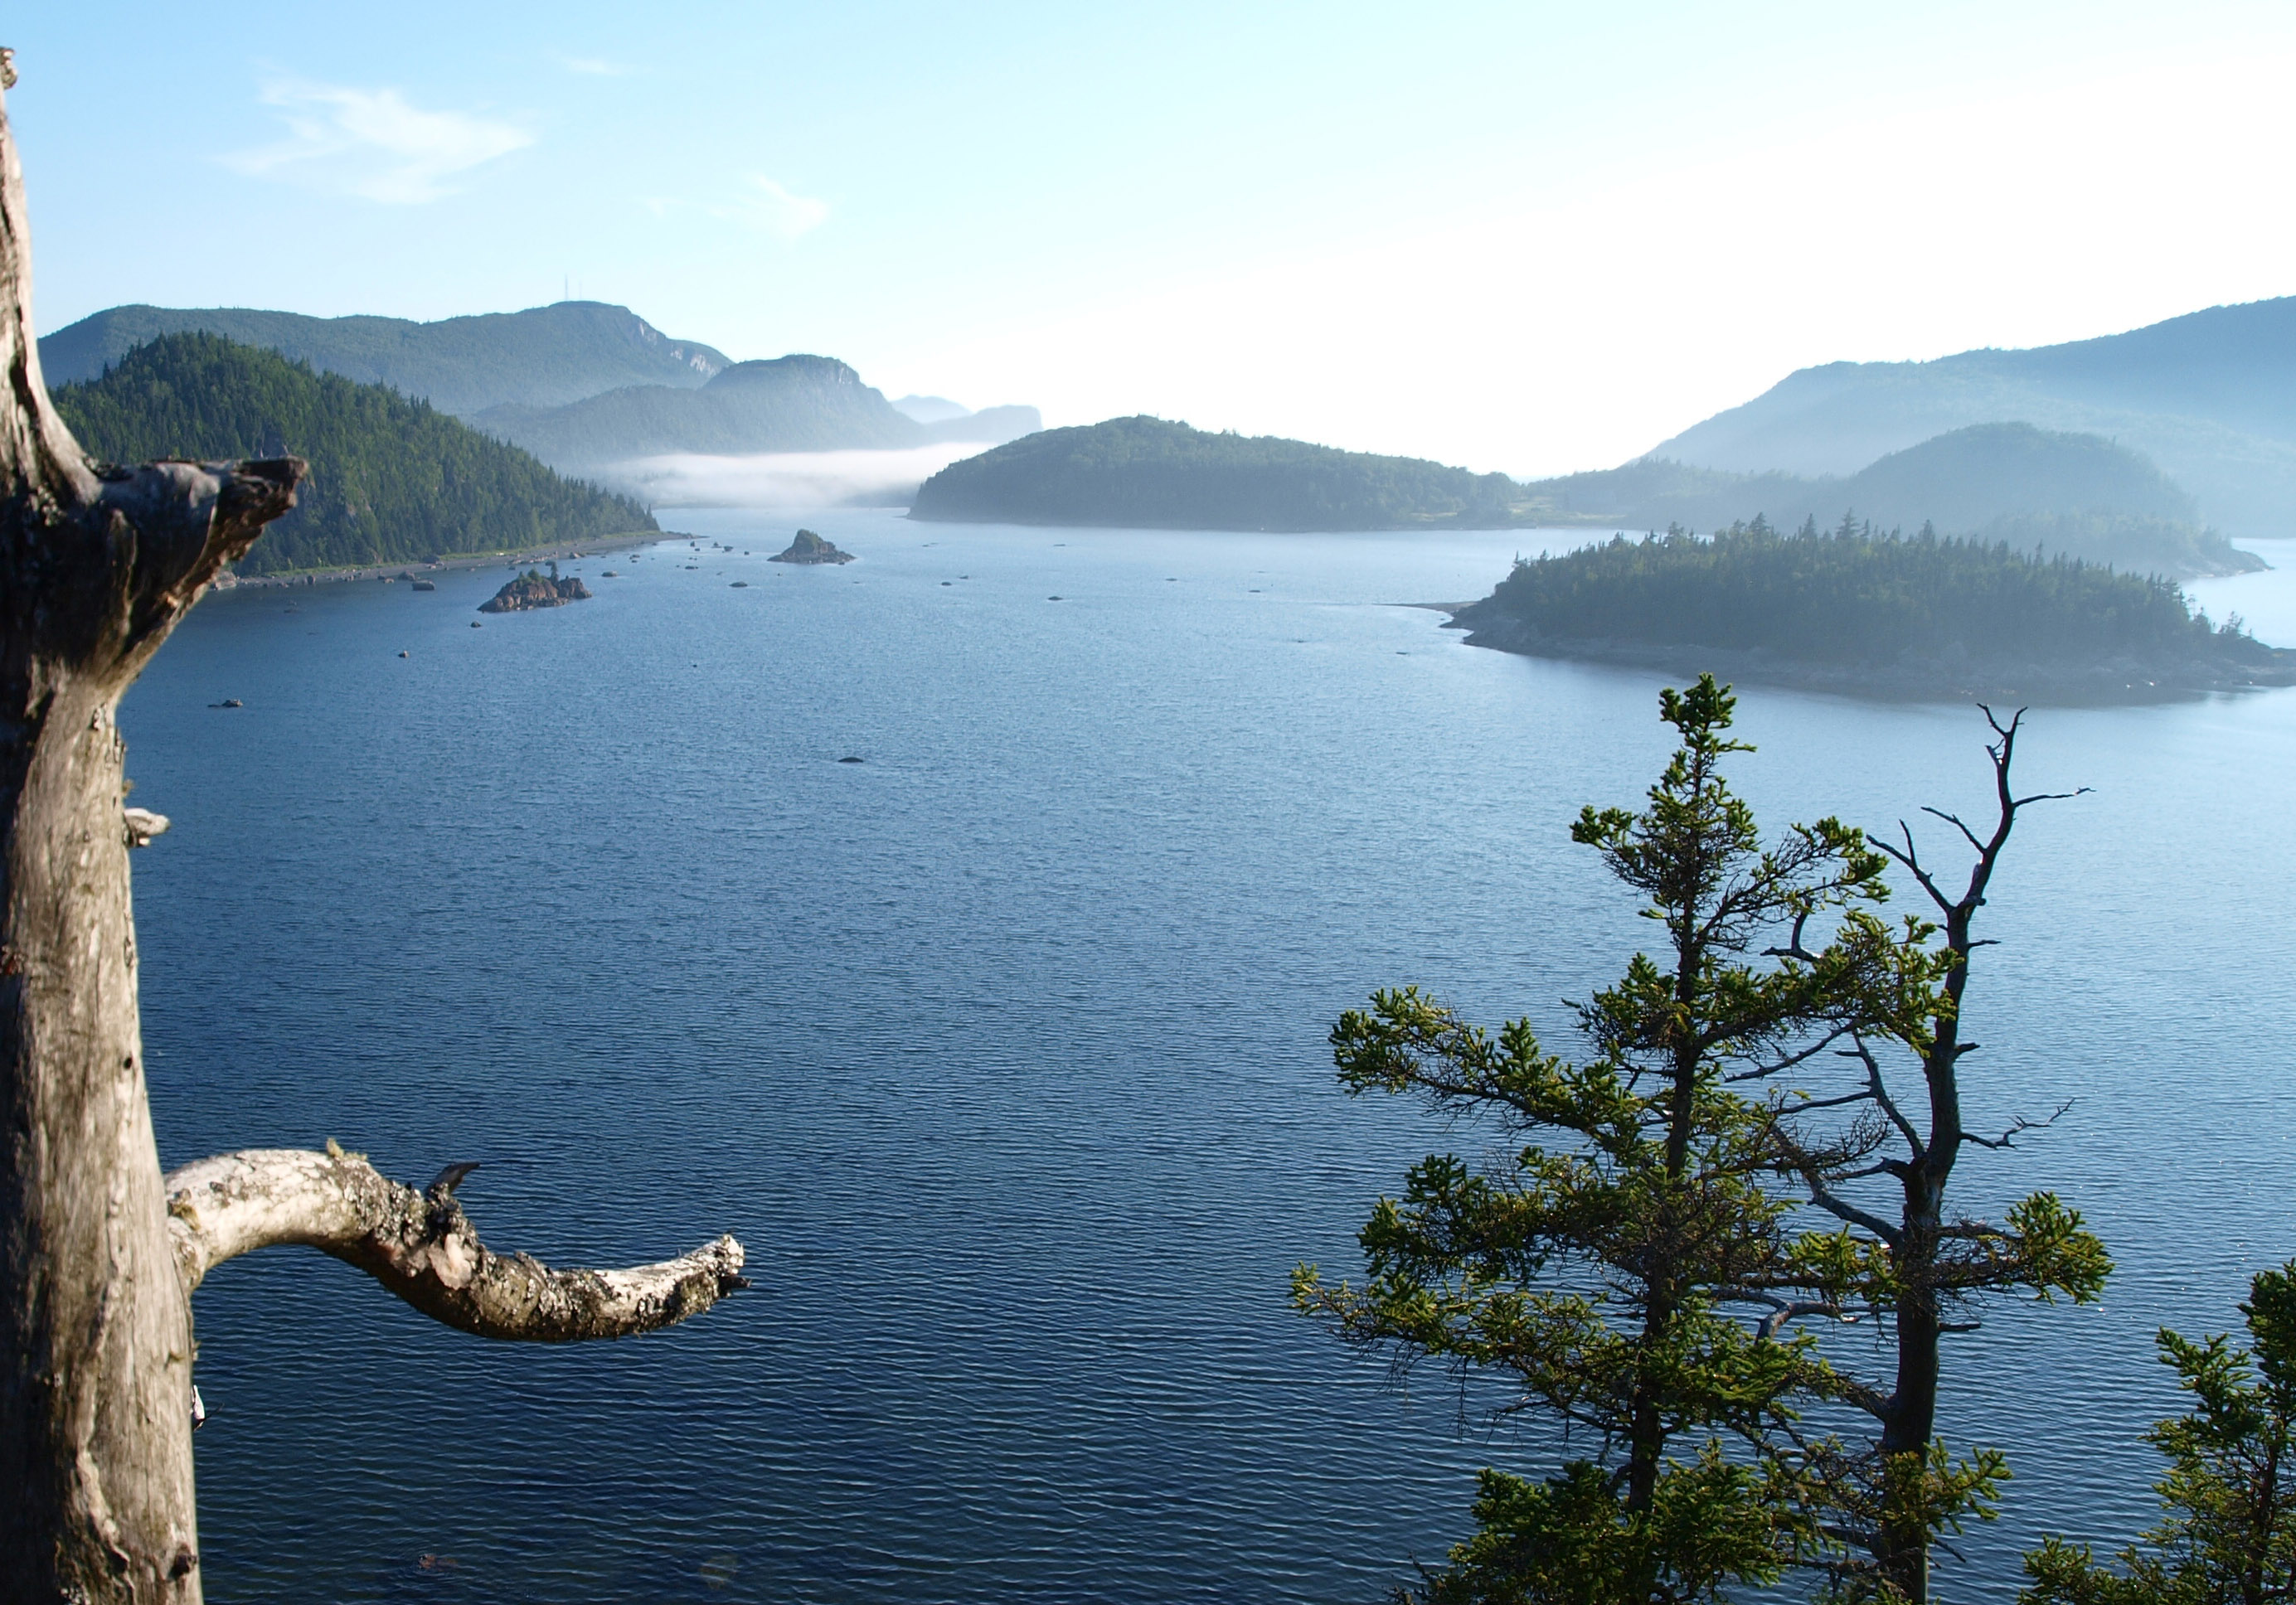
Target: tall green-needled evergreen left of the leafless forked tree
{"type": "Point", "coordinates": [1595, 1266]}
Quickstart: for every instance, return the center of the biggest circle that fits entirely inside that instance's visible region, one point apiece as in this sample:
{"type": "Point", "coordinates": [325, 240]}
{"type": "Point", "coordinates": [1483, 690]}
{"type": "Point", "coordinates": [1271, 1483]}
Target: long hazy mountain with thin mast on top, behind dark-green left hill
{"type": "Point", "coordinates": [541, 357]}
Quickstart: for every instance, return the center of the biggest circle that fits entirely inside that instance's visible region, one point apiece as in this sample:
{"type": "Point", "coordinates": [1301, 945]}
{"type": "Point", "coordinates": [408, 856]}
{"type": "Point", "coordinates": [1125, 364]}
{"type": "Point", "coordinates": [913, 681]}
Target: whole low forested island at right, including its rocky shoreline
{"type": "Point", "coordinates": [1861, 610]}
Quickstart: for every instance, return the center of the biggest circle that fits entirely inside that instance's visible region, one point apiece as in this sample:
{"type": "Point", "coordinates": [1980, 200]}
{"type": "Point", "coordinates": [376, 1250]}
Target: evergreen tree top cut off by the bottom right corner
{"type": "Point", "coordinates": [2228, 1530]}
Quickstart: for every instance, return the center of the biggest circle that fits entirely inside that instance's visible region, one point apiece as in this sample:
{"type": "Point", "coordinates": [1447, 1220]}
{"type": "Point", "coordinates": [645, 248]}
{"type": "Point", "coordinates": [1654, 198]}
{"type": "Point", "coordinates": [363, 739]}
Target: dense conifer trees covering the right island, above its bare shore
{"type": "Point", "coordinates": [1856, 596]}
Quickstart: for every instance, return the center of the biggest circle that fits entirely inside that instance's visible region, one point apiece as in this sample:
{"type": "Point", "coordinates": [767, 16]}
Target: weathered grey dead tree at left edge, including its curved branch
{"type": "Point", "coordinates": [95, 1273]}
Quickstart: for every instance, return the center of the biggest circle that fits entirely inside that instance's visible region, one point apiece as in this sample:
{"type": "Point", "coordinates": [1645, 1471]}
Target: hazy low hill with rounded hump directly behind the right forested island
{"type": "Point", "coordinates": [2074, 495]}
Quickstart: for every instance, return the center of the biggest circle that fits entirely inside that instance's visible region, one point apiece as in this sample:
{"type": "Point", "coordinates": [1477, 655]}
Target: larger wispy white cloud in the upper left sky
{"type": "Point", "coordinates": [373, 144]}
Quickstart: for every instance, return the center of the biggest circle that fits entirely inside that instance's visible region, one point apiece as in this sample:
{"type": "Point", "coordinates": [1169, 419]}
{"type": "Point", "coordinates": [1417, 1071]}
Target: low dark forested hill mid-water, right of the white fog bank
{"type": "Point", "coordinates": [1156, 474]}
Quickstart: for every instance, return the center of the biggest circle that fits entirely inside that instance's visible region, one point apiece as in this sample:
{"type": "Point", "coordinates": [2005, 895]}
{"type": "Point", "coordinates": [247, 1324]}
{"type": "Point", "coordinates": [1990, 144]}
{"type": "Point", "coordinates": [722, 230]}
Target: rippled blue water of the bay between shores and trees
{"type": "Point", "coordinates": [1004, 1053]}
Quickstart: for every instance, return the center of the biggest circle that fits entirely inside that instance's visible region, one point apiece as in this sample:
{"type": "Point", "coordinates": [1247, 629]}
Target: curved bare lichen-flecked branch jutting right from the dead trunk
{"type": "Point", "coordinates": [424, 1248]}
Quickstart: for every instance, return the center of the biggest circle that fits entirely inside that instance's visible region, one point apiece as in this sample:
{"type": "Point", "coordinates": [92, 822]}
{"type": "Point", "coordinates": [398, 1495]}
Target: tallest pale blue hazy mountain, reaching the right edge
{"type": "Point", "coordinates": [2210, 396]}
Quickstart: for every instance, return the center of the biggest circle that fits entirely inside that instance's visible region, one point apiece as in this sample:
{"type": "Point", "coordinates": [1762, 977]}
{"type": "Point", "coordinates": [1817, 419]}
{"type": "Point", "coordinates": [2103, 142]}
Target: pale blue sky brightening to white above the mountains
{"type": "Point", "coordinates": [1528, 238]}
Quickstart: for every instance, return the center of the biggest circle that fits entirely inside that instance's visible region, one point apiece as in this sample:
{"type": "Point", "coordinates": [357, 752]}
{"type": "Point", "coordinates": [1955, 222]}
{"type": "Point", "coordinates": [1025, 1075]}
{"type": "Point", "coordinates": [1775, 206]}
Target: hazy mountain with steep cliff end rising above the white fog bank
{"type": "Point", "coordinates": [786, 405]}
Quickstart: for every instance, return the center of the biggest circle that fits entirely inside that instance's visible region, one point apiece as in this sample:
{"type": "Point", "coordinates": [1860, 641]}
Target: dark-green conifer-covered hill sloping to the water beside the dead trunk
{"type": "Point", "coordinates": [391, 481]}
